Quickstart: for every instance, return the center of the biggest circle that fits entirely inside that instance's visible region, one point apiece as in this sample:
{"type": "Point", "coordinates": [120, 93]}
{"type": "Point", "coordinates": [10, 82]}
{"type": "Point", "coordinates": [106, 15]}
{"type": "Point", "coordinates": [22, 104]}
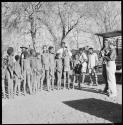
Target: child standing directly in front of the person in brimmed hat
{"type": "Point", "coordinates": [27, 72]}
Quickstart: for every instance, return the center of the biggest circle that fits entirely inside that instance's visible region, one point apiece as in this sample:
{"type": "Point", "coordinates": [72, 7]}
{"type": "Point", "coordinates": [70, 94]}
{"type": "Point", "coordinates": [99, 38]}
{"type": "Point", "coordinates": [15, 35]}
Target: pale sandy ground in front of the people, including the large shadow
{"type": "Point", "coordinates": [87, 105]}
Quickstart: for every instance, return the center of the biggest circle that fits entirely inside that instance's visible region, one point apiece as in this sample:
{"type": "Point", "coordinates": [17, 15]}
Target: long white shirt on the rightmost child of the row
{"type": "Point", "coordinates": [92, 60]}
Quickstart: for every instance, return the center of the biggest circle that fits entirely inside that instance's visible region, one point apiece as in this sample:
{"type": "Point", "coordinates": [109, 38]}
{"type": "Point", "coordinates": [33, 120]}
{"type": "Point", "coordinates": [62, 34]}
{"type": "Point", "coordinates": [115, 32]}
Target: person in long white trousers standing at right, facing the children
{"type": "Point", "coordinates": [110, 69]}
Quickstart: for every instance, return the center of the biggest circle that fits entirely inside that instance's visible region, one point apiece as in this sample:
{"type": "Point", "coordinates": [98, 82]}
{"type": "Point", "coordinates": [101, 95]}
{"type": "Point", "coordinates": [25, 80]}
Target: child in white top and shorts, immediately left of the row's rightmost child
{"type": "Point", "coordinates": [83, 59]}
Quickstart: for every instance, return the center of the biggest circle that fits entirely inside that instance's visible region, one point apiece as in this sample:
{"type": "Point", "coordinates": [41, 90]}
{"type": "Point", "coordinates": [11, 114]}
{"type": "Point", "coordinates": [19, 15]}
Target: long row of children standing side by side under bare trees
{"type": "Point", "coordinates": [30, 69]}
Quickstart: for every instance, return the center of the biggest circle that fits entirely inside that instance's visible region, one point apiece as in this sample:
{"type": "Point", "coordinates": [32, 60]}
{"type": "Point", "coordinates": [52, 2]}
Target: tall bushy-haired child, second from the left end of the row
{"type": "Point", "coordinates": [10, 65]}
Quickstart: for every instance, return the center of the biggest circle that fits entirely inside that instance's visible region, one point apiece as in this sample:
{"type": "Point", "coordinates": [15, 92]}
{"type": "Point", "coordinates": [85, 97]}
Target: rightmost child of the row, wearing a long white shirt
{"type": "Point", "coordinates": [92, 63]}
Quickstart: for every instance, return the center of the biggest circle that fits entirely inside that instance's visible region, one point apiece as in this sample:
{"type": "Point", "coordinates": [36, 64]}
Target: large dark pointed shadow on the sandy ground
{"type": "Point", "coordinates": [99, 108]}
